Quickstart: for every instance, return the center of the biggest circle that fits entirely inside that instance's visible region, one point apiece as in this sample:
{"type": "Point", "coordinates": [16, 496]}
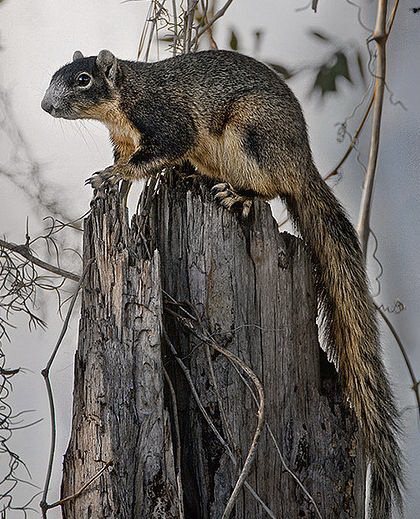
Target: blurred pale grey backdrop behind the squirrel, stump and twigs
{"type": "Point", "coordinates": [44, 161]}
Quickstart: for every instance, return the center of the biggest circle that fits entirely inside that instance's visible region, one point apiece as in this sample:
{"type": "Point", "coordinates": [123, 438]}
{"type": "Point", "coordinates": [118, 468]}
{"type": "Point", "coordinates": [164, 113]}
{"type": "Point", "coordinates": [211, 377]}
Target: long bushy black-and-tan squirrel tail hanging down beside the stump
{"type": "Point", "coordinates": [351, 332]}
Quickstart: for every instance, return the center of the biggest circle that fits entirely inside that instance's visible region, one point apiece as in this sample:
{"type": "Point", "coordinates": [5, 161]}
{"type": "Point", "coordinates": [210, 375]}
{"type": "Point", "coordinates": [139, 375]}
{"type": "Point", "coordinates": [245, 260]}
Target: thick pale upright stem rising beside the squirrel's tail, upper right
{"type": "Point", "coordinates": [380, 37]}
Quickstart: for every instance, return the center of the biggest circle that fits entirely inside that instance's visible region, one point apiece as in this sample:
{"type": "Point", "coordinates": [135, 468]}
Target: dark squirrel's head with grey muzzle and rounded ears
{"type": "Point", "coordinates": [80, 88]}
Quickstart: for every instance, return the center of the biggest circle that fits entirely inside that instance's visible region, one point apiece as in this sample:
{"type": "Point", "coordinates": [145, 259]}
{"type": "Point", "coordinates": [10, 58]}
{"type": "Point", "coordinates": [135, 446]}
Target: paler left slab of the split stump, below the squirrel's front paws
{"type": "Point", "coordinates": [119, 415]}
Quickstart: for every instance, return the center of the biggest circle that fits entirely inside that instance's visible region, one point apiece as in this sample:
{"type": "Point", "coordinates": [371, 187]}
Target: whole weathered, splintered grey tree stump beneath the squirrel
{"type": "Point", "coordinates": [163, 301]}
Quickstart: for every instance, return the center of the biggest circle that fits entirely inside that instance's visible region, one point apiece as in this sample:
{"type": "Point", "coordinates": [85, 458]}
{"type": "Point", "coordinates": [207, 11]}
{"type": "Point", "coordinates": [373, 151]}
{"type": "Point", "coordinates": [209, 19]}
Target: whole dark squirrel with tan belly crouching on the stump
{"type": "Point", "coordinates": [238, 123]}
